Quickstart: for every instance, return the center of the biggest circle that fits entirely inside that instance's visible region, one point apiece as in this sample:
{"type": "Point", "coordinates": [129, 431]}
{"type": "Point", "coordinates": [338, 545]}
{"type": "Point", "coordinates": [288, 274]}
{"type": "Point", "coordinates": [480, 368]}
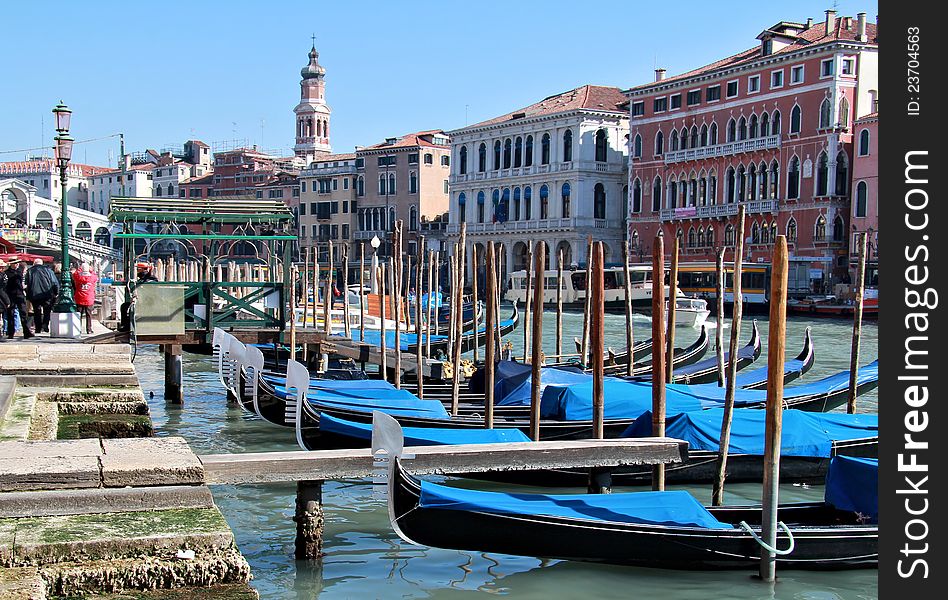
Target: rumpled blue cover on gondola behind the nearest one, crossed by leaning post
{"type": "Point", "coordinates": [804, 433]}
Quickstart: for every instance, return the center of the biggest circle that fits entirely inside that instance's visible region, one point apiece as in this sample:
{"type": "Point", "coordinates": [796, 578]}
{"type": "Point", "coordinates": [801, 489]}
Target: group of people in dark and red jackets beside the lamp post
{"type": "Point", "coordinates": [27, 296]}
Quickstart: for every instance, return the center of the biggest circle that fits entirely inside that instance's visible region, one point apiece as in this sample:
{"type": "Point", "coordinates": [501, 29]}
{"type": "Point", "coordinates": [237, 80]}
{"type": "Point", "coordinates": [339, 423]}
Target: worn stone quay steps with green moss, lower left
{"type": "Point", "coordinates": [87, 505]}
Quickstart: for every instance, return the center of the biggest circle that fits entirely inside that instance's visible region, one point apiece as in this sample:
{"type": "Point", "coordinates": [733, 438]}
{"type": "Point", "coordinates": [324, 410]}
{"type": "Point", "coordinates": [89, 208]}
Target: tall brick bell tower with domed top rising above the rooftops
{"type": "Point", "coordinates": [312, 113]}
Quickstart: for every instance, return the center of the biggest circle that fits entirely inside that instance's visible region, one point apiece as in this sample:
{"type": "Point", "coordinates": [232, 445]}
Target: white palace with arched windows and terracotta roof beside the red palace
{"type": "Point", "coordinates": [552, 171]}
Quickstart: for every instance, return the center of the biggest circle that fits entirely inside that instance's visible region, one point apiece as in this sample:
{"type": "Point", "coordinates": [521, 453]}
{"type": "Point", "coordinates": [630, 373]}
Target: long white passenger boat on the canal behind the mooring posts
{"type": "Point", "coordinates": [574, 287]}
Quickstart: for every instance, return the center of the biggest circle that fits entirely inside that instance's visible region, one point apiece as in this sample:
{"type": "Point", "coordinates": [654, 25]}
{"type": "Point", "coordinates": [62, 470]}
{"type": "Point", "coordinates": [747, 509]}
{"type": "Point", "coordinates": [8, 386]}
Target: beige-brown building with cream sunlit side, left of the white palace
{"type": "Point", "coordinates": [404, 178]}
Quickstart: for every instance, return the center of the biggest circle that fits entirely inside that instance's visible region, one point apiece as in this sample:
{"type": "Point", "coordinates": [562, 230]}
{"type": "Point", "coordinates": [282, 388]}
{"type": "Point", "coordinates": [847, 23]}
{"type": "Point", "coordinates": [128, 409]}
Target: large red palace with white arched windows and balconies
{"type": "Point", "coordinates": [771, 128]}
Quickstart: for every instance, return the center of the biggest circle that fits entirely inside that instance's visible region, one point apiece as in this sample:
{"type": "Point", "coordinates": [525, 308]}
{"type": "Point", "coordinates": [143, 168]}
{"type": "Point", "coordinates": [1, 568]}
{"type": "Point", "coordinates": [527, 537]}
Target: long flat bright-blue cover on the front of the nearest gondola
{"type": "Point", "coordinates": [674, 509]}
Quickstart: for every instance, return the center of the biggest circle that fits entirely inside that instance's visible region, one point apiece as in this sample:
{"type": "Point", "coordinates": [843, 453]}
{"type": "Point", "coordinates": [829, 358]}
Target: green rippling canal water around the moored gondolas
{"type": "Point", "coordinates": [365, 559]}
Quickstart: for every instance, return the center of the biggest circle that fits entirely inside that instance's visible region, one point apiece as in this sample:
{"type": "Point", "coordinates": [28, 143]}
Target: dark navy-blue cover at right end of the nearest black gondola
{"type": "Point", "coordinates": [853, 484]}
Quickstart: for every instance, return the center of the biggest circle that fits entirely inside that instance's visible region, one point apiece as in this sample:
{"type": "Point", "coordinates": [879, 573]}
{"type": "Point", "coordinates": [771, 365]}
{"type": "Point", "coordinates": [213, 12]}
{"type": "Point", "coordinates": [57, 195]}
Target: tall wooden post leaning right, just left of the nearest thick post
{"type": "Point", "coordinates": [717, 498]}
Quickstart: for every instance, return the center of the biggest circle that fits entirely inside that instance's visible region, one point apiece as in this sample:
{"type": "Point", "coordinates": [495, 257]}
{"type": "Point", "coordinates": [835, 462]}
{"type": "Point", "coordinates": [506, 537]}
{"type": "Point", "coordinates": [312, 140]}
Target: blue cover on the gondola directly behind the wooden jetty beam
{"type": "Point", "coordinates": [425, 436]}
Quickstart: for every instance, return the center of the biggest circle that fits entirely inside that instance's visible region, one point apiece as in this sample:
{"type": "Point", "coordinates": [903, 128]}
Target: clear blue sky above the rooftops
{"type": "Point", "coordinates": [162, 73]}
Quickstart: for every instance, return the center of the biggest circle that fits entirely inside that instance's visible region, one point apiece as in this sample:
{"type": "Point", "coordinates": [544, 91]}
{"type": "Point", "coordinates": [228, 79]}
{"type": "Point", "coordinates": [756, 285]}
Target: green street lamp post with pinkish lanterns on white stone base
{"type": "Point", "coordinates": [65, 318]}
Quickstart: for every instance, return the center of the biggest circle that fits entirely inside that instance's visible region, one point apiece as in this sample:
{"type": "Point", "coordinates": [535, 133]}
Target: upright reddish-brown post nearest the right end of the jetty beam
{"type": "Point", "coordinates": [658, 357]}
